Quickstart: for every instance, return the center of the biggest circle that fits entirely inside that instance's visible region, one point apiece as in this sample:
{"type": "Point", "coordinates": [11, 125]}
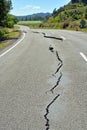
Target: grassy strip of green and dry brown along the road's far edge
{"type": "Point", "coordinates": [66, 25]}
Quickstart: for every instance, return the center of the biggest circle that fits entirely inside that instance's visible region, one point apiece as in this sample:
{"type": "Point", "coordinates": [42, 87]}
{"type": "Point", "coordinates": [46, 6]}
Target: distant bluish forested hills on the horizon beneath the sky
{"type": "Point", "coordinates": [35, 17]}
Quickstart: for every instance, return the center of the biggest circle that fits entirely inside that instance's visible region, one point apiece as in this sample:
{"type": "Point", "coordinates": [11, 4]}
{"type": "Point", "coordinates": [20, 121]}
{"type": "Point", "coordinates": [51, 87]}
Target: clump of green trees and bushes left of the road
{"type": "Point", "coordinates": [6, 19]}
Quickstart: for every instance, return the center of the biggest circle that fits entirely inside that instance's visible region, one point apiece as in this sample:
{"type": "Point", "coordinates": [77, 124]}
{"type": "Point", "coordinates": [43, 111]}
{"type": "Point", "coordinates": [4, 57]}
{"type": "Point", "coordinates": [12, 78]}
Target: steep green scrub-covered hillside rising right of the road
{"type": "Point", "coordinates": [73, 15]}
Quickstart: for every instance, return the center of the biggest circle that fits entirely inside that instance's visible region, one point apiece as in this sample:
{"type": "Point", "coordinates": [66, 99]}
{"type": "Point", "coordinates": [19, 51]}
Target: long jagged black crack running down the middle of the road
{"type": "Point", "coordinates": [56, 85]}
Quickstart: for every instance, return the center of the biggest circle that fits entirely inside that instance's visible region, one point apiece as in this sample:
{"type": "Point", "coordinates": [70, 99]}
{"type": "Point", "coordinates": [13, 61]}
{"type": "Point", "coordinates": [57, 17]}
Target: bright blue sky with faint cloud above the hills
{"type": "Point", "coordinates": [27, 7]}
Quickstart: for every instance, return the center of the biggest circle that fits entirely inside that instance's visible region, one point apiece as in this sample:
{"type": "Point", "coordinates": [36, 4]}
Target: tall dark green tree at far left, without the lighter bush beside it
{"type": "Point", "coordinates": [5, 7]}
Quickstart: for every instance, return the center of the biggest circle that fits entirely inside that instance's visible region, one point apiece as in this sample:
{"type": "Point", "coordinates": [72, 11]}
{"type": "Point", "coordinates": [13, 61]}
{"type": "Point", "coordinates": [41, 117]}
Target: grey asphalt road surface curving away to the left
{"type": "Point", "coordinates": [43, 81]}
